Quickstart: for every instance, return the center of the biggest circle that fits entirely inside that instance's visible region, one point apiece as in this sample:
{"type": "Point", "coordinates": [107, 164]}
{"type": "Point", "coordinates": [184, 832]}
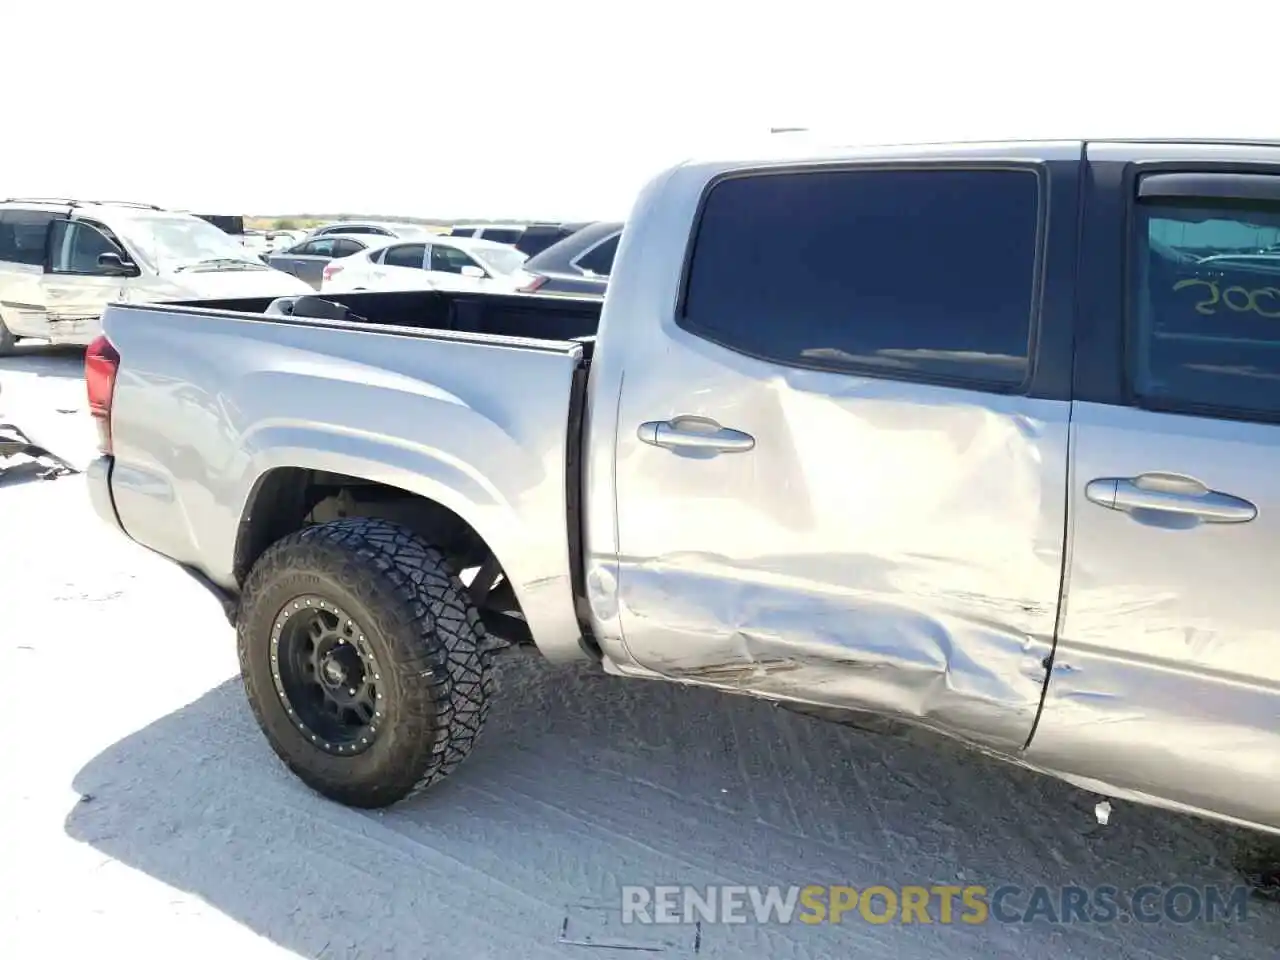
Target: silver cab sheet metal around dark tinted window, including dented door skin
{"type": "Point", "coordinates": [886, 546]}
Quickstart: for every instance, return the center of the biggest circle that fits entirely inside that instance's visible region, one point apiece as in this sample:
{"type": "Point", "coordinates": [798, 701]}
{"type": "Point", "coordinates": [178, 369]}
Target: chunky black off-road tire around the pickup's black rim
{"type": "Point", "coordinates": [424, 632]}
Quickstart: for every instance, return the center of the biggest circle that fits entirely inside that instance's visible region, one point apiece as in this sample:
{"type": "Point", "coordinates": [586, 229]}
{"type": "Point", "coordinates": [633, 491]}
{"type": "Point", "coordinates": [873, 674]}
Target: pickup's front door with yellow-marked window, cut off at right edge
{"type": "Point", "coordinates": [1167, 678]}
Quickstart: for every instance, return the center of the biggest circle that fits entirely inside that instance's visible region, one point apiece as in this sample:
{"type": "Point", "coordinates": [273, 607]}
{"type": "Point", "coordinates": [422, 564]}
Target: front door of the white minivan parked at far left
{"type": "Point", "coordinates": [79, 289]}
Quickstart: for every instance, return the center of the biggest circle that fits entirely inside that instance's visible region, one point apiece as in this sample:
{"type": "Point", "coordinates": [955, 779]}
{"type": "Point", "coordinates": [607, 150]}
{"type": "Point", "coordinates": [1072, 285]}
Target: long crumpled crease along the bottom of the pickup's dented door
{"type": "Point", "coordinates": [785, 642]}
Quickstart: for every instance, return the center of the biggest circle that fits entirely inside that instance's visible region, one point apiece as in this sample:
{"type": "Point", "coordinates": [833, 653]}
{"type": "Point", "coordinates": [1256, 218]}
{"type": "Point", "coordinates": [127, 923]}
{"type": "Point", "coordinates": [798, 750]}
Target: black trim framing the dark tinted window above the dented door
{"type": "Point", "coordinates": [1036, 167]}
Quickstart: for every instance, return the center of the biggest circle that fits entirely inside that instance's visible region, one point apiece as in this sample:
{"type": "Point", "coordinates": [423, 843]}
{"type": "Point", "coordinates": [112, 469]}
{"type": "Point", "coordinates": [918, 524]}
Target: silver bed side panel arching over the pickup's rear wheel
{"type": "Point", "coordinates": [208, 403]}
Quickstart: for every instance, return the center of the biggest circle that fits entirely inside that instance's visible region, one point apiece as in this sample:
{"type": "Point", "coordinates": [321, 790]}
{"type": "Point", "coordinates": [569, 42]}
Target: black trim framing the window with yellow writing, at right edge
{"type": "Point", "coordinates": [1223, 182]}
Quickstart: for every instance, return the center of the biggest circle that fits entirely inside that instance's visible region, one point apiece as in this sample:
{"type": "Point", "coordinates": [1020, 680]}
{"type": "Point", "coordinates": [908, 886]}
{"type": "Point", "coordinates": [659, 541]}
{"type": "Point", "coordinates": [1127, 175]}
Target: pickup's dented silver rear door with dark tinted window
{"type": "Point", "coordinates": [842, 456]}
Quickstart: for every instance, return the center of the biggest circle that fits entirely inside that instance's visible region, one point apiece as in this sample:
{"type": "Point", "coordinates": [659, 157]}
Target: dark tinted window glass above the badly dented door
{"type": "Point", "coordinates": [822, 271]}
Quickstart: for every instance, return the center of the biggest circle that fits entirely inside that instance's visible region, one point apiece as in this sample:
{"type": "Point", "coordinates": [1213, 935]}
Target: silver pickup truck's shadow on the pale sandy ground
{"type": "Point", "coordinates": [584, 783]}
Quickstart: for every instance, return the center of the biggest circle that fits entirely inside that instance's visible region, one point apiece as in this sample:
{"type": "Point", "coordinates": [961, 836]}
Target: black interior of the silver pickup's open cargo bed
{"type": "Point", "coordinates": [504, 316]}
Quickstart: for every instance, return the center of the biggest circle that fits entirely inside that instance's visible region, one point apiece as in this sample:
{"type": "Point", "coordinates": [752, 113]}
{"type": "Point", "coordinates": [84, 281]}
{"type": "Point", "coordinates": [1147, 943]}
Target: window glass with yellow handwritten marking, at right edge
{"type": "Point", "coordinates": [1205, 305]}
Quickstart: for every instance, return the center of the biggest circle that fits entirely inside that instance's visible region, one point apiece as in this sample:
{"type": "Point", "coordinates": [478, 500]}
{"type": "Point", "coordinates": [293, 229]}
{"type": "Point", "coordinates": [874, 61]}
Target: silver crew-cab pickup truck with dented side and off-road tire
{"type": "Point", "coordinates": [979, 437]}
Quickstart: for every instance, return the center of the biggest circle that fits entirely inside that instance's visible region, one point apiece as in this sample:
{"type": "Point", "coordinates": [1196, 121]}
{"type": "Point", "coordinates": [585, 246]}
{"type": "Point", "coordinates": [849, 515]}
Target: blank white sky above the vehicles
{"type": "Point", "coordinates": [564, 109]}
